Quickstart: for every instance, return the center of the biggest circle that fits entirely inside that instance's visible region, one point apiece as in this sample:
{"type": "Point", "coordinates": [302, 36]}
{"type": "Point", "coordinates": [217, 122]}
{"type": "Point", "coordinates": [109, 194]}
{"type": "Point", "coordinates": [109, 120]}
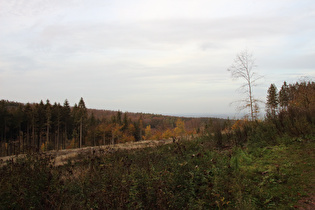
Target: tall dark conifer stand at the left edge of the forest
{"type": "Point", "coordinates": [32, 127]}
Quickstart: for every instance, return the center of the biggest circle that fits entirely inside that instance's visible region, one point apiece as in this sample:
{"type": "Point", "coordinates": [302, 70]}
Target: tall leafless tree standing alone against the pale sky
{"type": "Point", "coordinates": [242, 68]}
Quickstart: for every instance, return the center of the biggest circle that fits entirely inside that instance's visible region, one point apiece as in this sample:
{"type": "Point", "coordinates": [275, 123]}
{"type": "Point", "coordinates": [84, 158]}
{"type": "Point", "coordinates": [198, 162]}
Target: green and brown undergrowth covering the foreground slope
{"type": "Point", "coordinates": [185, 175]}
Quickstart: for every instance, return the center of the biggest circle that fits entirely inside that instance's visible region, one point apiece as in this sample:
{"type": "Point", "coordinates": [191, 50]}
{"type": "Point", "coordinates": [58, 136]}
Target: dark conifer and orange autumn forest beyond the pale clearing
{"type": "Point", "coordinates": [40, 127]}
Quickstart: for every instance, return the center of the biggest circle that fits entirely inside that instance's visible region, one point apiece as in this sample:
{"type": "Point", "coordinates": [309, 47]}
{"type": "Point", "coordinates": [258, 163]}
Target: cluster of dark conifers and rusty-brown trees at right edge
{"type": "Point", "coordinates": [292, 108]}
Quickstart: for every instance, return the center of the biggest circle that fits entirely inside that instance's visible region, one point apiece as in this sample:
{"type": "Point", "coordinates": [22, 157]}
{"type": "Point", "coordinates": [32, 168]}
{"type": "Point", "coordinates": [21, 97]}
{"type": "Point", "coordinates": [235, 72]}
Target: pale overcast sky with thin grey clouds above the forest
{"type": "Point", "coordinates": [164, 57]}
